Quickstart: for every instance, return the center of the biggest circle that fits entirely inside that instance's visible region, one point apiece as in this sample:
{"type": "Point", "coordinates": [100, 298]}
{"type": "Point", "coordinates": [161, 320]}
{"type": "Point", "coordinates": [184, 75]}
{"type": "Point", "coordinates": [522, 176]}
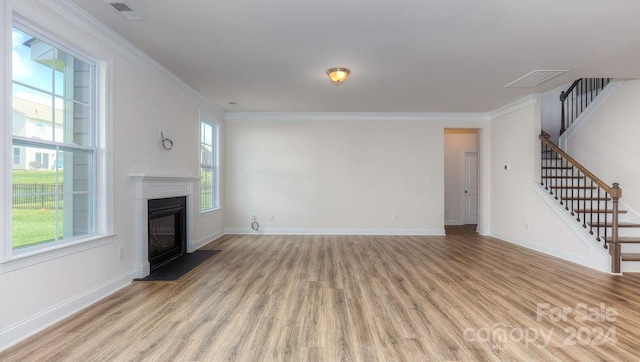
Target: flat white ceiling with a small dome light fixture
{"type": "Point", "coordinates": [404, 55]}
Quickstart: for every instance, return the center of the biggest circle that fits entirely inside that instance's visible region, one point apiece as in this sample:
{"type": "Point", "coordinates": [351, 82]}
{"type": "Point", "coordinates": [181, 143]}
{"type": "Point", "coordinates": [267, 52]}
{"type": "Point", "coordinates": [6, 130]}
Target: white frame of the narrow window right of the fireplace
{"type": "Point", "coordinates": [214, 166]}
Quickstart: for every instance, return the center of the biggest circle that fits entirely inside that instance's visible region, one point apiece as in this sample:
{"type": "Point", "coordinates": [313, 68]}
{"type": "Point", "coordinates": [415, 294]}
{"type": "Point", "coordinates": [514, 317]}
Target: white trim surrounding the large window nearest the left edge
{"type": "Point", "coordinates": [103, 224]}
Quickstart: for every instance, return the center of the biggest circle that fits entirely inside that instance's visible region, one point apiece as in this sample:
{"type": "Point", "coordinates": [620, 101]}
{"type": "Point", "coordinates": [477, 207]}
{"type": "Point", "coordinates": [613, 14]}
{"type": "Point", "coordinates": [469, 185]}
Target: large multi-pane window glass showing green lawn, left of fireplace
{"type": "Point", "coordinates": [54, 137]}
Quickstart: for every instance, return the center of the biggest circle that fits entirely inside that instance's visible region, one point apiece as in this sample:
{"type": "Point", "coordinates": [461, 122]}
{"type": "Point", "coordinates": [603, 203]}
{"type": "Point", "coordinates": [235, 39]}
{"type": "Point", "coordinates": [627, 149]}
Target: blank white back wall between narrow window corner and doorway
{"type": "Point", "coordinates": [344, 176]}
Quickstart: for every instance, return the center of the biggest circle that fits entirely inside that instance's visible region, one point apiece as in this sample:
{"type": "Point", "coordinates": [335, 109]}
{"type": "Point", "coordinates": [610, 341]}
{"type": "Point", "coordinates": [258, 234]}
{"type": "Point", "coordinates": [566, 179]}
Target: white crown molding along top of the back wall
{"type": "Point", "coordinates": [356, 116]}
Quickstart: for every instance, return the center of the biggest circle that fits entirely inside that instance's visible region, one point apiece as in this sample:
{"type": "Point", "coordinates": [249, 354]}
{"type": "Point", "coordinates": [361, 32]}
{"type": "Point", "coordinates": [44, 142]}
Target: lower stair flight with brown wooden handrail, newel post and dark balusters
{"type": "Point", "coordinates": [592, 202]}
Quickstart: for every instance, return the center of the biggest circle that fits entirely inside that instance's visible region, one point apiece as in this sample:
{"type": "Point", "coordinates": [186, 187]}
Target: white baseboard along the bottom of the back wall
{"type": "Point", "coordinates": [421, 232]}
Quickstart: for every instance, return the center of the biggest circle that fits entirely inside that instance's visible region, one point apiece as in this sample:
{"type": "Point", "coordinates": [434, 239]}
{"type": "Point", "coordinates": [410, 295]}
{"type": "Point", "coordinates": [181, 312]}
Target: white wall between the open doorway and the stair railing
{"type": "Point", "coordinates": [518, 213]}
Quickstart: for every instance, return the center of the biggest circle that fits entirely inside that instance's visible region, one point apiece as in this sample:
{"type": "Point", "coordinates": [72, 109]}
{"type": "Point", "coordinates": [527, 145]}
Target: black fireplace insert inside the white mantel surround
{"type": "Point", "coordinates": [167, 232]}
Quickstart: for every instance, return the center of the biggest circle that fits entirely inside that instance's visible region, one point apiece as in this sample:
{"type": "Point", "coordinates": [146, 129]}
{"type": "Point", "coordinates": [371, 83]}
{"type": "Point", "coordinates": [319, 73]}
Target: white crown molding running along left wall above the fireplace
{"type": "Point", "coordinates": [73, 15]}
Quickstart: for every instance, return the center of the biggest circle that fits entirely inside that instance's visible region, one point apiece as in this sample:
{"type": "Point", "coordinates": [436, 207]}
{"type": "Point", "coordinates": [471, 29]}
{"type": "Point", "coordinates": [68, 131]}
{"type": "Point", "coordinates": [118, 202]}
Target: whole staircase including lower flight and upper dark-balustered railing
{"type": "Point", "coordinates": [593, 203]}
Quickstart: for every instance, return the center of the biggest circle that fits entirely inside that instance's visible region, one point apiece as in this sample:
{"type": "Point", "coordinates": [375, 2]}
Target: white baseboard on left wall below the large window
{"type": "Point", "coordinates": [34, 324]}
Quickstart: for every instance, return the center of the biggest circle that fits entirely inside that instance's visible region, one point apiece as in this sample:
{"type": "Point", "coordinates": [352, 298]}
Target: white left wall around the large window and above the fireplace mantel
{"type": "Point", "coordinates": [144, 98]}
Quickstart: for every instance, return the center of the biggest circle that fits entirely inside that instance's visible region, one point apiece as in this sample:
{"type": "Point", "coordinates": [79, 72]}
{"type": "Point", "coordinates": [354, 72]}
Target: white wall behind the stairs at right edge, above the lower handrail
{"type": "Point", "coordinates": [606, 140]}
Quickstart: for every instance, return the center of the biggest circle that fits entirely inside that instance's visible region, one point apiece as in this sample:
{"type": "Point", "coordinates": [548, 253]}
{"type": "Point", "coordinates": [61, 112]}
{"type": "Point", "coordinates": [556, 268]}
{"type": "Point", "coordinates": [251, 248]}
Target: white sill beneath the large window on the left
{"type": "Point", "coordinates": [26, 258]}
